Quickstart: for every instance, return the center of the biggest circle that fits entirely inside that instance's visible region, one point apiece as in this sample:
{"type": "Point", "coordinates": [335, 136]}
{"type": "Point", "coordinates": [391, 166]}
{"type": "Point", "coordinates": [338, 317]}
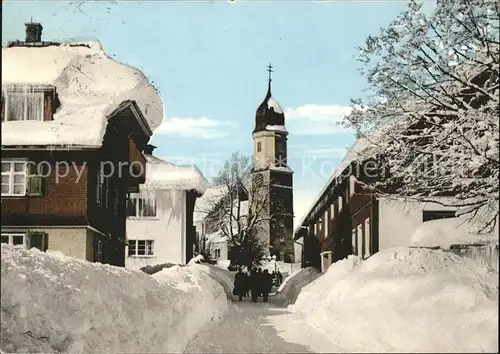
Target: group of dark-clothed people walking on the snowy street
{"type": "Point", "coordinates": [257, 284]}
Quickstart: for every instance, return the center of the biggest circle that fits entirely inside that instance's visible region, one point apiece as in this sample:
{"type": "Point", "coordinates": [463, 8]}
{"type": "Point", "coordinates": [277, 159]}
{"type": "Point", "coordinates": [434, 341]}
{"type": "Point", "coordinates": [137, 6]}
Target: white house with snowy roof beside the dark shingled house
{"type": "Point", "coordinates": [159, 216]}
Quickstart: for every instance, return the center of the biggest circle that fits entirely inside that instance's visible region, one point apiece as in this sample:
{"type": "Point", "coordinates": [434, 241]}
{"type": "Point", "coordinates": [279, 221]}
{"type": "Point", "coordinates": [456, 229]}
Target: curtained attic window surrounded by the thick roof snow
{"type": "Point", "coordinates": [24, 105]}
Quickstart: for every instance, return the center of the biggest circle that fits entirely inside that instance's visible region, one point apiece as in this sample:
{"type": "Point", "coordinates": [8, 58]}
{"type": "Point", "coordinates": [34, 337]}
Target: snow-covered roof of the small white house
{"type": "Point", "coordinates": [161, 174]}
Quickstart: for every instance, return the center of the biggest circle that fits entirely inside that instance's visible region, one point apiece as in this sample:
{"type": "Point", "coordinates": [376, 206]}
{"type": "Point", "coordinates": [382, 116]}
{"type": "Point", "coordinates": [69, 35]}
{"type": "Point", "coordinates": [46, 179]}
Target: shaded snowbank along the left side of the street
{"type": "Point", "coordinates": [50, 302]}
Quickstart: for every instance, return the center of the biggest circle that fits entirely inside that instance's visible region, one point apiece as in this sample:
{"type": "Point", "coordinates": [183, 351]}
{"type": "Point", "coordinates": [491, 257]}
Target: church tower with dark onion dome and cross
{"type": "Point", "coordinates": [270, 162]}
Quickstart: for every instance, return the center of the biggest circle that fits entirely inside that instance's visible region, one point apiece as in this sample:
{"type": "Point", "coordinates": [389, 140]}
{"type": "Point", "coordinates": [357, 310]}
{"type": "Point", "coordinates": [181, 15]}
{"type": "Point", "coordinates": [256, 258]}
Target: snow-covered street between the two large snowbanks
{"type": "Point", "coordinates": [259, 328]}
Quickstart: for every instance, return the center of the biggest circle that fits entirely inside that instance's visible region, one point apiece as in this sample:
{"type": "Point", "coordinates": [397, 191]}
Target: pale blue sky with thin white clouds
{"type": "Point", "coordinates": [208, 60]}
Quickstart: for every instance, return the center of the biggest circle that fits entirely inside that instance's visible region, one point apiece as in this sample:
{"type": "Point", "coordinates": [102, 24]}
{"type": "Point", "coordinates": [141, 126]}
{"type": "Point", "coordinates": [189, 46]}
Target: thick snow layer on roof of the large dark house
{"type": "Point", "coordinates": [90, 85]}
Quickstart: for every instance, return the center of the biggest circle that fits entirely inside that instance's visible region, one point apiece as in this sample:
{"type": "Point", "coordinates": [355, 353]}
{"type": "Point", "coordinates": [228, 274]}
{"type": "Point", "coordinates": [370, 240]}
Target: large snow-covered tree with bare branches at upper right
{"type": "Point", "coordinates": [432, 115]}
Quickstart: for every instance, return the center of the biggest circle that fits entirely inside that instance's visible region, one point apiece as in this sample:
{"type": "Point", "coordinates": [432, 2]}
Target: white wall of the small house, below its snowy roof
{"type": "Point", "coordinates": [168, 230]}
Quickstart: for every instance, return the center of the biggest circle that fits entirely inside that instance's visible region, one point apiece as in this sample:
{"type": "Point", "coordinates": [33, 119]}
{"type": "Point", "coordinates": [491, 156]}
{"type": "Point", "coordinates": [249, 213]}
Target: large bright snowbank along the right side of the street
{"type": "Point", "coordinates": [405, 300]}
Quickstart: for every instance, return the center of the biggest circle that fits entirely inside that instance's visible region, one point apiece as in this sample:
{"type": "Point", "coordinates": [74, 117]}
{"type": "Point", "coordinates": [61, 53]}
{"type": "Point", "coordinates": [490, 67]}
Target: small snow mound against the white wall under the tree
{"type": "Point", "coordinates": [445, 233]}
